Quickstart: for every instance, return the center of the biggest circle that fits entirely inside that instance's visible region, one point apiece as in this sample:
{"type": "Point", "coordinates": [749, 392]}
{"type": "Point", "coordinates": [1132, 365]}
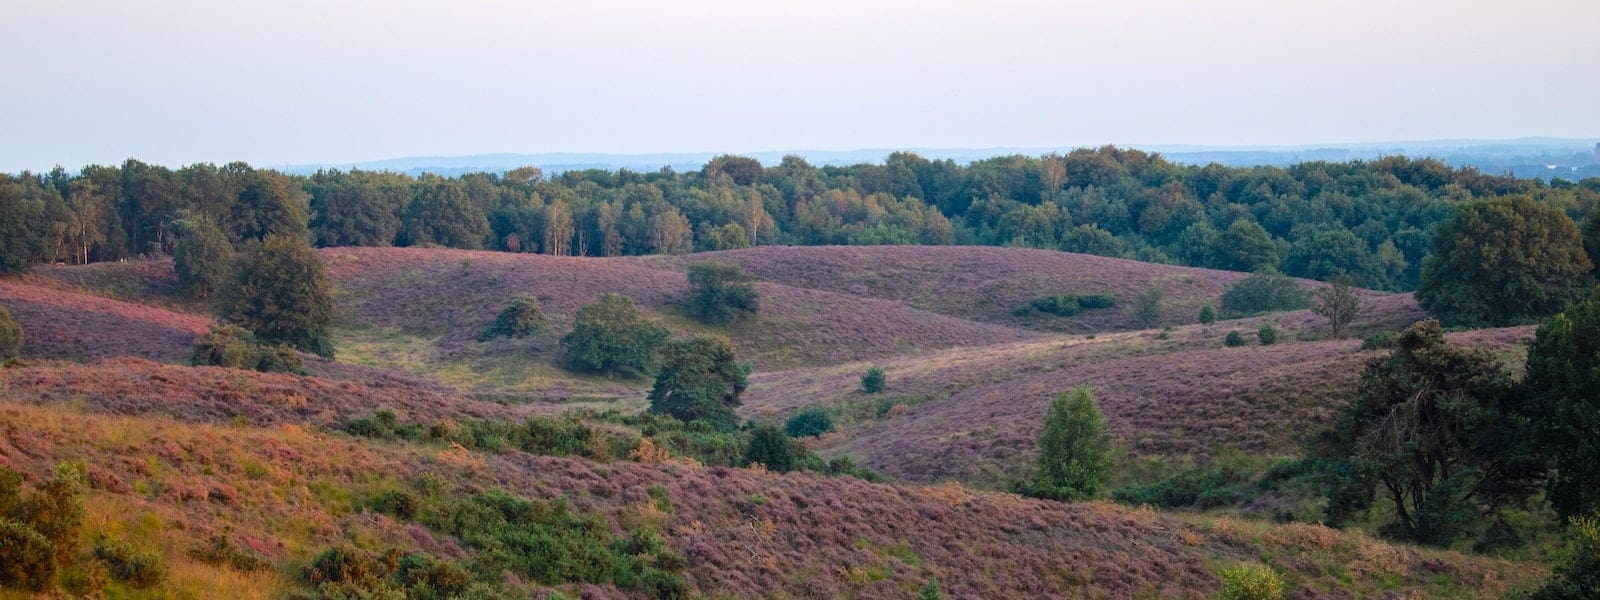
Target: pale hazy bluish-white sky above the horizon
{"type": "Point", "coordinates": [295, 82]}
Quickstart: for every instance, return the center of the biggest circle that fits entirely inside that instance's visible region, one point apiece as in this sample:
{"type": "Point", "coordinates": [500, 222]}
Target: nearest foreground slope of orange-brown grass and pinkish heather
{"type": "Point", "coordinates": [290, 490]}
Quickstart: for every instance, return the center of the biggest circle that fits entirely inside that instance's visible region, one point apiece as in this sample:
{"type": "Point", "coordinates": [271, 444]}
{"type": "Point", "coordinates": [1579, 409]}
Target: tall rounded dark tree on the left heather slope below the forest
{"type": "Point", "coordinates": [282, 294]}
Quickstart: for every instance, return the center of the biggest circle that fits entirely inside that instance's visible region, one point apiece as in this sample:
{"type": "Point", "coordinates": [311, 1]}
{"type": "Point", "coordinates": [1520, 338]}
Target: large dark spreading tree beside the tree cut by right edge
{"type": "Point", "coordinates": [1433, 433]}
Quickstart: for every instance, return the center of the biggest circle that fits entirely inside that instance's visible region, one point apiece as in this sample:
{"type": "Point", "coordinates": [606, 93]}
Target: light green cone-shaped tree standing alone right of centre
{"type": "Point", "coordinates": [1074, 452]}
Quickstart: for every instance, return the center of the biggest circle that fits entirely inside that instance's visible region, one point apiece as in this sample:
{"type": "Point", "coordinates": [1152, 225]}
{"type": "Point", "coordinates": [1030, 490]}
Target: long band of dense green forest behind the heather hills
{"type": "Point", "coordinates": [1366, 220]}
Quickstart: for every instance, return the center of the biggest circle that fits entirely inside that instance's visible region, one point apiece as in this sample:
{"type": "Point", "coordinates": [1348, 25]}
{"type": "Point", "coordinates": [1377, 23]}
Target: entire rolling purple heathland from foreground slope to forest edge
{"type": "Point", "coordinates": [422, 441]}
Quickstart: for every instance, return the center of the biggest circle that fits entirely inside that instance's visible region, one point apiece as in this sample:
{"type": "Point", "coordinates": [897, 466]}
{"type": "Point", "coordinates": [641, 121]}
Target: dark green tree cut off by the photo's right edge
{"type": "Point", "coordinates": [1564, 391]}
